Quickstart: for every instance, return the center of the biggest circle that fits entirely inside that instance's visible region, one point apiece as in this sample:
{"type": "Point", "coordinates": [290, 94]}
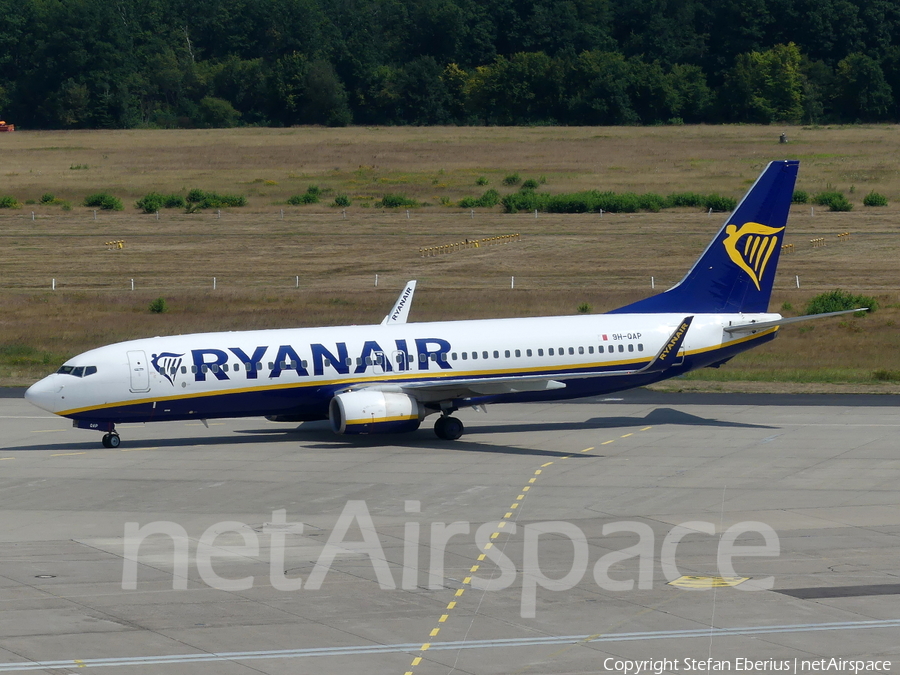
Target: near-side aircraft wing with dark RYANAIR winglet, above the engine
{"type": "Point", "coordinates": [485, 386]}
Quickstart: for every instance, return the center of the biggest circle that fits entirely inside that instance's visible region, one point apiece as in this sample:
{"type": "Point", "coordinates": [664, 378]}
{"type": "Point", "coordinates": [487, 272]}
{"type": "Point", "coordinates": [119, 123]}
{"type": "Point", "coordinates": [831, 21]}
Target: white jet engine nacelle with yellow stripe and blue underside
{"type": "Point", "coordinates": [374, 412]}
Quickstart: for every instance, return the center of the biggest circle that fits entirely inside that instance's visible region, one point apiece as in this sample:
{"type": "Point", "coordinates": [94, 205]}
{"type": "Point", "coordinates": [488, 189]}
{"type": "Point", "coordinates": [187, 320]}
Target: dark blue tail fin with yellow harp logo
{"type": "Point", "coordinates": [736, 271]}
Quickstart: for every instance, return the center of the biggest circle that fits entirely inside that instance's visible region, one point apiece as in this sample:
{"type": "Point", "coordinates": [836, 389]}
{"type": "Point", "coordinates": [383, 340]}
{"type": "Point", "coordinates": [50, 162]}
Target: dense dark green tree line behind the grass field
{"type": "Point", "coordinates": [219, 63]}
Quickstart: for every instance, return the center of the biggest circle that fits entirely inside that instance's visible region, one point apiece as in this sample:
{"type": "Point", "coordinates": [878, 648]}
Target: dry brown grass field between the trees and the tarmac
{"type": "Point", "coordinates": [256, 252]}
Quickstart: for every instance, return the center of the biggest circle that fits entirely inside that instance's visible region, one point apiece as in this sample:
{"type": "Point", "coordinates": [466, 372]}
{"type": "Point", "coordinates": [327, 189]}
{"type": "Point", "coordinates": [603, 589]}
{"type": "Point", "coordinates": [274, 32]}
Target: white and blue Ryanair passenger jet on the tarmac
{"type": "Point", "coordinates": [387, 378]}
